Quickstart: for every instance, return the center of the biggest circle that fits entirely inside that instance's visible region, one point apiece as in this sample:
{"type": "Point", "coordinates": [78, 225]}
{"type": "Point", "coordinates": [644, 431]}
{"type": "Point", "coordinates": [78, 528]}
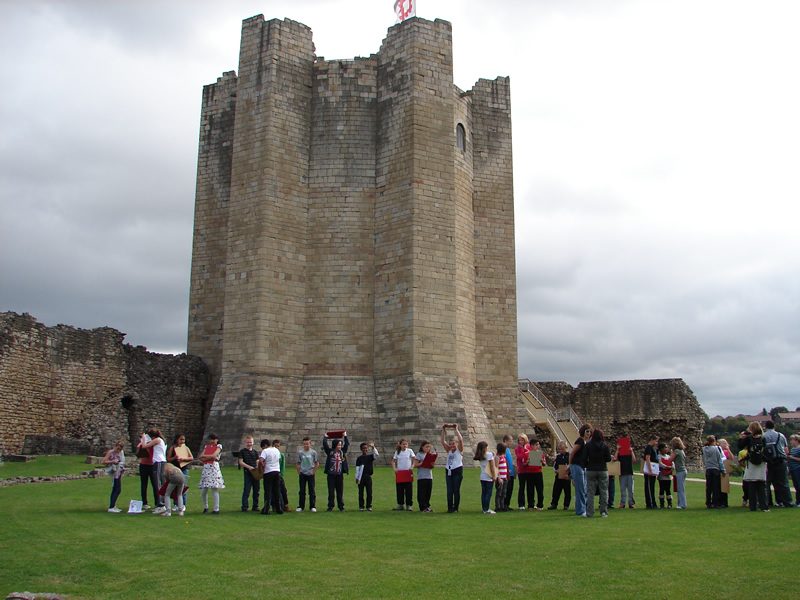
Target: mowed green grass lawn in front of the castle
{"type": "Point", "coordinates": [58, 537]}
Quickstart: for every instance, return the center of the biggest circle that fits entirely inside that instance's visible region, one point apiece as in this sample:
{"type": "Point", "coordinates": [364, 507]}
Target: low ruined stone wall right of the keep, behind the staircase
{"type": "Point", "coordinates": [665, 407]}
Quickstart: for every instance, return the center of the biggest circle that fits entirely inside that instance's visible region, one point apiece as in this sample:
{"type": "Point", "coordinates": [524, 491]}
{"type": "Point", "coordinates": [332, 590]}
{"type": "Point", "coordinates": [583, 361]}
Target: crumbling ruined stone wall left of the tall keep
{"type": "Point", "coordinates": [64, 389]}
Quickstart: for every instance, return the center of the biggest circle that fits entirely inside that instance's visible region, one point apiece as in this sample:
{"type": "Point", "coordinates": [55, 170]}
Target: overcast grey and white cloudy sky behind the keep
{"type": "Point", "coordinates": [656, 172]}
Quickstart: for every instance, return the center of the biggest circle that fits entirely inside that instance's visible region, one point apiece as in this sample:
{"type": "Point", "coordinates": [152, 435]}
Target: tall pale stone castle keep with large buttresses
{"type": "Point", "coordinates": [353, 261]}
